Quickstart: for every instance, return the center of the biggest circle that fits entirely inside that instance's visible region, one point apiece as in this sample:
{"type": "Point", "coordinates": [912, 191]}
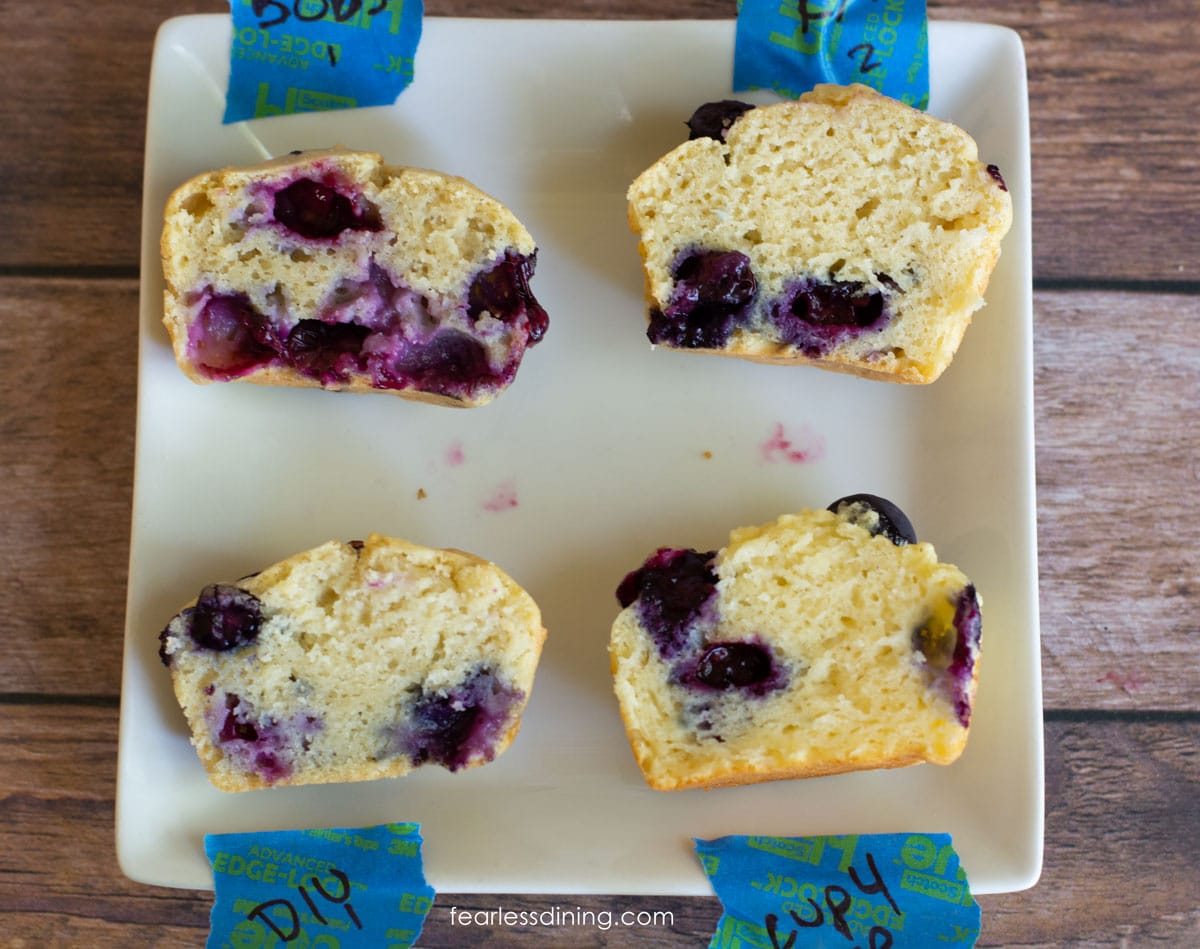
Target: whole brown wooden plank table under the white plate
{"type": "Point", "coordinates": [1115, 97]}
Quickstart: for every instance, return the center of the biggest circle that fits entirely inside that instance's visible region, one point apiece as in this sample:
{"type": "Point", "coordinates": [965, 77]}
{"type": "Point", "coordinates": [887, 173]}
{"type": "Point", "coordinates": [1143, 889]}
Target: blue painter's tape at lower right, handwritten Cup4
{"type": "Point", "coordinates": [896, 891]}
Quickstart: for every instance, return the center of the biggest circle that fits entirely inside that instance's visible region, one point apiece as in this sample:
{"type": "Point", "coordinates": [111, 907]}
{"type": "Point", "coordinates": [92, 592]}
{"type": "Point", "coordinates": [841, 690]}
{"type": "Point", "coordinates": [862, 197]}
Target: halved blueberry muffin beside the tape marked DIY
{"type": "Point", "coordinates": [353, 662]}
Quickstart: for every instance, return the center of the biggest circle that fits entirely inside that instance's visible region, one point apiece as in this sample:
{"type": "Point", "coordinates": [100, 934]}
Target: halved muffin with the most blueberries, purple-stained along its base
{"type": "Point", "coordinates": [333, 269]}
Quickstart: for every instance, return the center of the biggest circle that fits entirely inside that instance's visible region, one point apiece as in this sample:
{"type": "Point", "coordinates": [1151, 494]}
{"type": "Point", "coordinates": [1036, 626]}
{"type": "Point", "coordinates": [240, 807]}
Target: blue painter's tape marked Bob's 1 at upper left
{"type": "Point", "coordinates": [317, 56]}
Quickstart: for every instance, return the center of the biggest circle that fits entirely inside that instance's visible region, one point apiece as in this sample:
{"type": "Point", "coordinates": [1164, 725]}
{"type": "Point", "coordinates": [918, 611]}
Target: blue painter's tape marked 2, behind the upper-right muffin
{"type": "Point", "coordinates": [790, 46]}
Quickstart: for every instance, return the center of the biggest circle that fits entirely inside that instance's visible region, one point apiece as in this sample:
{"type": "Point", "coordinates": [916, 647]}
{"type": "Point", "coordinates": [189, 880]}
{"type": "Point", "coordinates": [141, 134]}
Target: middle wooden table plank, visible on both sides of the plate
{"type": "Point", "coordinates": [1114, 463]}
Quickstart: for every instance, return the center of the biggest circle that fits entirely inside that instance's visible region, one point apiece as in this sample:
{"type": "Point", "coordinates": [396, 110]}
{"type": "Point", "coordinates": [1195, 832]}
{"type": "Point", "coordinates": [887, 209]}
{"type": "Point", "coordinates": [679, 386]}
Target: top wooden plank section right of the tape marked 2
{"type": "Point", "coordinates": [1111, 87]}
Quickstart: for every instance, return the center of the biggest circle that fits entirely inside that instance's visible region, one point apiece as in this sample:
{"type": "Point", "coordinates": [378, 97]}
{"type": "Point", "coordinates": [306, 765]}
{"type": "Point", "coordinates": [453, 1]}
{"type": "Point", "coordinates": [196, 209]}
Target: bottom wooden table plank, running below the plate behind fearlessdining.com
{"type": "Point", "coordinates": [1123, 838]}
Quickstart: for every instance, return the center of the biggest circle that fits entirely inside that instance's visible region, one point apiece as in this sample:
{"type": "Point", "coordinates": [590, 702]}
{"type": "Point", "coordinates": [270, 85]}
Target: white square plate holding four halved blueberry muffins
{"type": "Point", "coordinates": [603, 451]}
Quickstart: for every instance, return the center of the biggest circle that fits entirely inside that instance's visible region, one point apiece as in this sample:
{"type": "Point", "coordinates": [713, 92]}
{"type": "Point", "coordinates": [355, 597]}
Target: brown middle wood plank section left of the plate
{"type": "Point", "coordinates": [67, 467]}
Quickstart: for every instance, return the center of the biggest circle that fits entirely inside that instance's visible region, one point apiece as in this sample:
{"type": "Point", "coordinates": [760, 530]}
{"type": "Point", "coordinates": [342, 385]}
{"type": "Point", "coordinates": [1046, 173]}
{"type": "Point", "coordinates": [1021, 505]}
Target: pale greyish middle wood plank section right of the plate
{"type": "Point", "coordinates": [1118, 397]}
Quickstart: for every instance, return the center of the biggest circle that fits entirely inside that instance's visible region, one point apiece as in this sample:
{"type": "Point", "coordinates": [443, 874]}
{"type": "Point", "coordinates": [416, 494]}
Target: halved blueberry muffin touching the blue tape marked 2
{"type": "Point", "coordinates": [845, 231]}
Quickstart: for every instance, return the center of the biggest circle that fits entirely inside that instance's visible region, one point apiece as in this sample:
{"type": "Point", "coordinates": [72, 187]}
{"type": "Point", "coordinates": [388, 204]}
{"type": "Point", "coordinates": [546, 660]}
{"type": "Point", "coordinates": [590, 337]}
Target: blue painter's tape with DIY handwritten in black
{"type": "Point", "coordinates": [346, 887]}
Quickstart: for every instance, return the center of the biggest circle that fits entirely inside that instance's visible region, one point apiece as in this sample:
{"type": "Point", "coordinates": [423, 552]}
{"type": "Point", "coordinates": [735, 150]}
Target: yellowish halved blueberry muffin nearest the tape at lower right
{"type": "Point", "coordinates": [827, 641]}
